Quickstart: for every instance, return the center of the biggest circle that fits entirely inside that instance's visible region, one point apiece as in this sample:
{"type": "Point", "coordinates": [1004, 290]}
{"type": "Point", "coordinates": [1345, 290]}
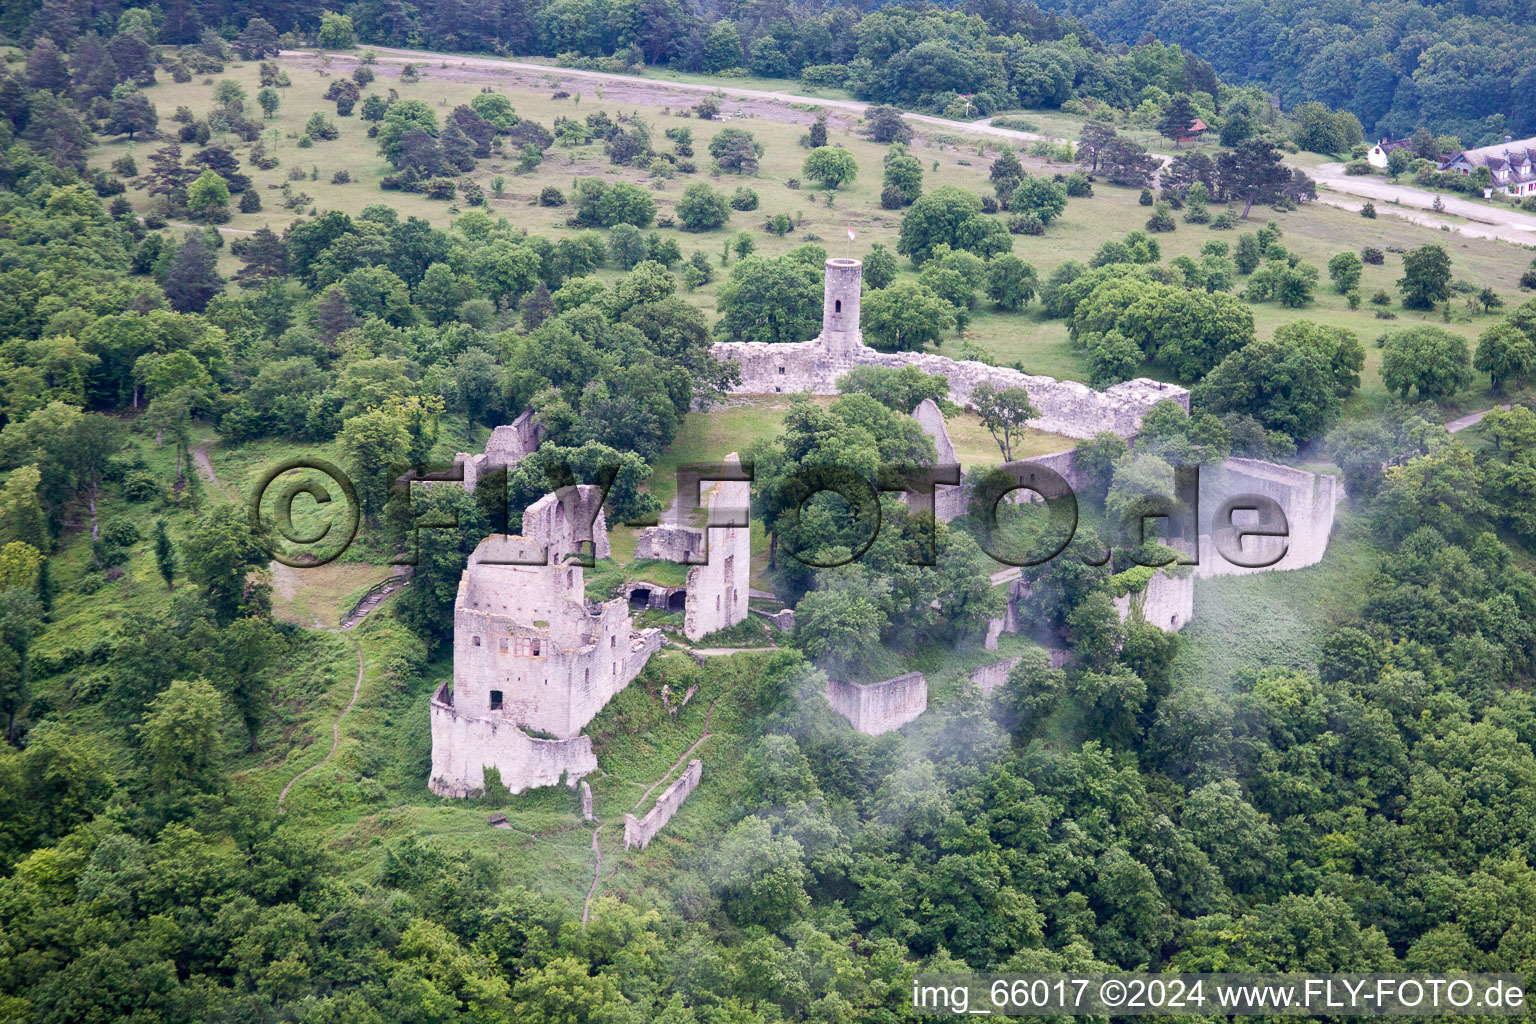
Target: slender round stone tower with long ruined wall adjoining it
{"type": "Point", "coordinates": [1067, 408]}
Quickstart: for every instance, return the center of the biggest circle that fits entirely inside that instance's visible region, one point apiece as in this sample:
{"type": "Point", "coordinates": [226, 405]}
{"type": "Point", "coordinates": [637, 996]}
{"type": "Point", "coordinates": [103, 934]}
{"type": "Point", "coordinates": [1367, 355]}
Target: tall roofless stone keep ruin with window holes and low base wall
{"type": "Point", "coordinates": [532, 656]}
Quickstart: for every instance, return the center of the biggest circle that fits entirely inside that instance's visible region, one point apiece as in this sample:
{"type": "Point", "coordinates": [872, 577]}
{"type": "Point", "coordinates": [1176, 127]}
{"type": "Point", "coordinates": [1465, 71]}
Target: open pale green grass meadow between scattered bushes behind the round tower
{"type": "Point", "coordinates": [1041, 346]}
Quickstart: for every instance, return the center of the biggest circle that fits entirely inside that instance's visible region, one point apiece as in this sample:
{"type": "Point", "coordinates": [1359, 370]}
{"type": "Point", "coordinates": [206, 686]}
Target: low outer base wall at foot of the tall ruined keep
{"type": "Point", "coordinates": [465, 745]}
